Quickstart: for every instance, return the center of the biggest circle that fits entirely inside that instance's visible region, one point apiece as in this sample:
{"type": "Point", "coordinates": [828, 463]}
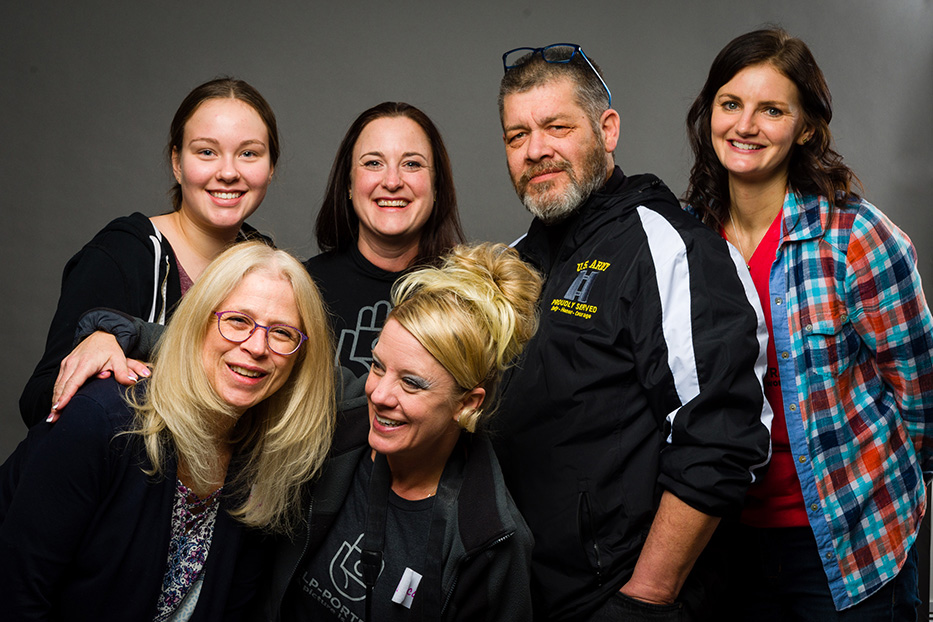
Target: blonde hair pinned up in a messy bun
{"type": "Point", "coordinates": [474, 314]}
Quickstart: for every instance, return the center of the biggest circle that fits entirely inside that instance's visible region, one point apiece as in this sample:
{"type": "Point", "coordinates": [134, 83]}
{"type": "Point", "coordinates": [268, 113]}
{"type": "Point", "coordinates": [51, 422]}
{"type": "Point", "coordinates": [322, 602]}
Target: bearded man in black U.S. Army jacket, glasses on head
{"type": "Point", "coordinates": [636, 418]}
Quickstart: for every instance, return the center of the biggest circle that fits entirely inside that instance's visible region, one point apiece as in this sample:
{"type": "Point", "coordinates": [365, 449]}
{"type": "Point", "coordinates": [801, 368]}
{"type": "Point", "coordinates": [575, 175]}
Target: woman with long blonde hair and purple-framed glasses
{"type": "Point", "coordinates": [149, 505]}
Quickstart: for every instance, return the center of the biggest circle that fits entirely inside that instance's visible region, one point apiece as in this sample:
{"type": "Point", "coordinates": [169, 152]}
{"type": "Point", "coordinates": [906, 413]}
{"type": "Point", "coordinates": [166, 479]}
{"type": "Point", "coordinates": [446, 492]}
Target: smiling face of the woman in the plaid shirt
{"type": "Point", "coordinates": [756, 121]}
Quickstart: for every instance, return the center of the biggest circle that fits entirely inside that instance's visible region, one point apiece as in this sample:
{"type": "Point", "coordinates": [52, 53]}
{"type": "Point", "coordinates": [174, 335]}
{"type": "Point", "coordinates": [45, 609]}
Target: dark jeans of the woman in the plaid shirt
{"type": "Point", "coordinates": [778, 576]}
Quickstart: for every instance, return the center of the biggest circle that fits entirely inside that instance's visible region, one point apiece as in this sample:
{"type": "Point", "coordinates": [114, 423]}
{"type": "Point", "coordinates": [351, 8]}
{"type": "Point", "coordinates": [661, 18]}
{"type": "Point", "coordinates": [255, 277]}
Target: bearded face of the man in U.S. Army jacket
{"type": "Point", "coordinates": [556, 159]}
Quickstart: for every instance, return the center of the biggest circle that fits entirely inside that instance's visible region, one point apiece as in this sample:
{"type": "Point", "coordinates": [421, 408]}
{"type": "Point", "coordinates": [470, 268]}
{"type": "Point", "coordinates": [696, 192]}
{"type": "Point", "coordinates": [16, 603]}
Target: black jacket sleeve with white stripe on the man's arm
{"type": "Point", "coordinates": [718, 421]}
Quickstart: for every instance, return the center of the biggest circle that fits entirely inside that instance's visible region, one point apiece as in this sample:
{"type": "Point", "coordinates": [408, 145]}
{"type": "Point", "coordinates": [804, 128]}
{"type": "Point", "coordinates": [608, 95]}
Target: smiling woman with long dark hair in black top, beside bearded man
{"type": "Point", "coordinates": [390, 204]}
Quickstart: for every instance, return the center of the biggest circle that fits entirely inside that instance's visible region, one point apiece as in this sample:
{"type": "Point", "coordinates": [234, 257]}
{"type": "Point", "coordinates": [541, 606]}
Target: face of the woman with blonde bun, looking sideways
{"type": "Point", "coordinates": [414, 402]}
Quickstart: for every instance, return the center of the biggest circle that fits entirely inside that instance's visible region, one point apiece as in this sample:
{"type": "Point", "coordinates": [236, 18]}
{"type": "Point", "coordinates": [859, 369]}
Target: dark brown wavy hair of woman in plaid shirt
{"type": "Point", "coordinates": [815, 167]}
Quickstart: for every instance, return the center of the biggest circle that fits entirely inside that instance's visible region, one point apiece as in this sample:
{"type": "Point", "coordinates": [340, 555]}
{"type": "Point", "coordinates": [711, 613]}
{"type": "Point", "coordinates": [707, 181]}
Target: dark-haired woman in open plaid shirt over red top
{"type": "Point", "coordinates": [850, 368]}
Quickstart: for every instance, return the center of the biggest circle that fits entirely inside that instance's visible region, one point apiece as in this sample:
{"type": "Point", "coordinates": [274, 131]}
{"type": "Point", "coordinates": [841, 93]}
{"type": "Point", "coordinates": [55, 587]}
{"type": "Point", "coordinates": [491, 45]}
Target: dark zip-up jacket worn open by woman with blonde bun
{"type": "Point", "coordinates": [482, 571]}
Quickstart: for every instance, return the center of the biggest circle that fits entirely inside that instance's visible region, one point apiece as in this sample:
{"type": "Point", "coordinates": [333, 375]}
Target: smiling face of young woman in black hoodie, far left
{"type": "Point", "coordinates": [223, 165]}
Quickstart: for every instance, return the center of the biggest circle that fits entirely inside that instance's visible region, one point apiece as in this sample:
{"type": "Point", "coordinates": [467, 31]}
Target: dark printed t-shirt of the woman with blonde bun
{"type": "Point", "coordinates": [330, 585]}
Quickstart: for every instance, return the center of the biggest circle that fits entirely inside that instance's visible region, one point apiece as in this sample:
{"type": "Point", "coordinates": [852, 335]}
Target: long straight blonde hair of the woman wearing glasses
{"type": "Point", "coordinates": [280, 443]}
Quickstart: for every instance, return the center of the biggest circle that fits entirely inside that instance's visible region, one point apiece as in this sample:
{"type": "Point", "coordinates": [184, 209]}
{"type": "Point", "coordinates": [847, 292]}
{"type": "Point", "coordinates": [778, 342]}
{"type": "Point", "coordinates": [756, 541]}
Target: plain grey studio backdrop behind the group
{"type": "Point", "coordinates": [88, 89]}
